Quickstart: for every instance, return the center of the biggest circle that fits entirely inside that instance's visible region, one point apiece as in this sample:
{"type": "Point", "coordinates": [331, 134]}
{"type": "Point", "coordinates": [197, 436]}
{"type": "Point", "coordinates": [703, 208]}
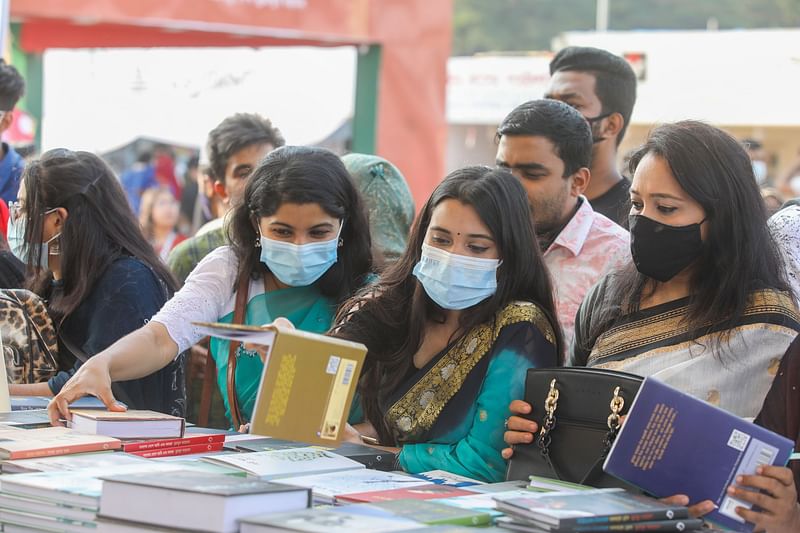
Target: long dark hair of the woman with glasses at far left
{"type": "Point", "coordinates": [100, 228]}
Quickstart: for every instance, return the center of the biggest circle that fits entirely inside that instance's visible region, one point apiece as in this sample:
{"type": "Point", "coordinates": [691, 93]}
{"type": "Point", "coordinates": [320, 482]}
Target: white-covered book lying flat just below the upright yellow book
{"type": "Point", "coordinates": [291, 462]}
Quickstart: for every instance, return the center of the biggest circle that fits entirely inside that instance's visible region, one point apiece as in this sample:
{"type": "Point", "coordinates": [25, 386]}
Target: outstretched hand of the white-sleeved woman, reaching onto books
{"type": "Point", "coordinates": [92, 378]}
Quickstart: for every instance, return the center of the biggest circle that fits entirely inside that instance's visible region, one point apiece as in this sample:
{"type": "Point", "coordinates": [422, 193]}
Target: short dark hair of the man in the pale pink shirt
{"type": "Point", "coordinates": [560, 124]}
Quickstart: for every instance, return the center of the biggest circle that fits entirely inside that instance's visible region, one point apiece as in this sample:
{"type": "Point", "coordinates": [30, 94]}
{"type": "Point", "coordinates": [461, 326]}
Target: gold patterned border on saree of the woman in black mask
{"type": "Point", "coordinates": [672, 324]}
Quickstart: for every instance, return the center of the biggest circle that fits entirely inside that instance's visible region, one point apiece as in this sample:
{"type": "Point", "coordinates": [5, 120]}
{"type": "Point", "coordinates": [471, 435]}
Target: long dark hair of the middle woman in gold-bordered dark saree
{"type": "Point", "coordinates": [389, 318]}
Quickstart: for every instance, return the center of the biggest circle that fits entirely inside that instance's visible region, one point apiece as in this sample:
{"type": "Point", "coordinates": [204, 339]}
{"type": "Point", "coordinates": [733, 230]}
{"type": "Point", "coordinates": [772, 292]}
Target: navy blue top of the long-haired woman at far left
{"type": "Point", "coordinates": [126, 296]}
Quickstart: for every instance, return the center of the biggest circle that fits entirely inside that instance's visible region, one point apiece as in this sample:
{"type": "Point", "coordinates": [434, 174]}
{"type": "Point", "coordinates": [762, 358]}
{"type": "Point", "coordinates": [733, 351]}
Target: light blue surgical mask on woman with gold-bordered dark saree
{"type": "Point", "coordinates": [456, 281]}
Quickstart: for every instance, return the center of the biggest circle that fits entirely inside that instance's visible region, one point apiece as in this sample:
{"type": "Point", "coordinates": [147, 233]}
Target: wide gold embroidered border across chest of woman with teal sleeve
{"type": "Point", "coordinates": [416, 412]}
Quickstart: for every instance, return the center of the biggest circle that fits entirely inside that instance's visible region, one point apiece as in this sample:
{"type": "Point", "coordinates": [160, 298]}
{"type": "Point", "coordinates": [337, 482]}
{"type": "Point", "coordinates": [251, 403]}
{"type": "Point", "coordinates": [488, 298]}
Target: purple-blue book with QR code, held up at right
{"type": "Point", "coordinates": [673, 443]}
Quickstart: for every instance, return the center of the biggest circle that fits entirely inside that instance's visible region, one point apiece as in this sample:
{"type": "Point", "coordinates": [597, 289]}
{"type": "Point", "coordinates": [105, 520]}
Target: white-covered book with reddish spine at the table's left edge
{"type": "Point", "coordinates": [44, 442]}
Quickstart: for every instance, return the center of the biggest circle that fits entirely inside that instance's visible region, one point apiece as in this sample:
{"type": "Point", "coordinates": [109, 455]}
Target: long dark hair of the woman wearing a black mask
{"type": "Point", "coordinates": [738, 256]}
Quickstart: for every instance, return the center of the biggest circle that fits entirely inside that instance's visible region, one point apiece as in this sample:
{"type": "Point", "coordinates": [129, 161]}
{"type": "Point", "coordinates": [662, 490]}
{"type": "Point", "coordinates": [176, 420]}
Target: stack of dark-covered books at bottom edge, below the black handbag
{"type": "Point", "coordinates": [591, 510]}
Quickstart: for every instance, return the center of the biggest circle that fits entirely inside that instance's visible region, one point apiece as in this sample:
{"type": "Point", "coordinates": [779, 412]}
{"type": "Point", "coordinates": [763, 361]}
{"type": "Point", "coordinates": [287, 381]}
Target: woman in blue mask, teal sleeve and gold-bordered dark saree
{"type": "Point", "coordinates": [450, 327]}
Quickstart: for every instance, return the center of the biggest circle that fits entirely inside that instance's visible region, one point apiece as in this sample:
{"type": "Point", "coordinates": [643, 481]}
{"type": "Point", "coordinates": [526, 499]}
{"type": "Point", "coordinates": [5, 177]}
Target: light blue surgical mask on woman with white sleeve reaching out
{"type": "Point", "coordinates": [299, 265]}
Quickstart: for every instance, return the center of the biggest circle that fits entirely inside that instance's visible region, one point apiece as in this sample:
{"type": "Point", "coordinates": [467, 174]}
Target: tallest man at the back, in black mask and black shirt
{"type": "Point", "coordinates": [602, 87]}
